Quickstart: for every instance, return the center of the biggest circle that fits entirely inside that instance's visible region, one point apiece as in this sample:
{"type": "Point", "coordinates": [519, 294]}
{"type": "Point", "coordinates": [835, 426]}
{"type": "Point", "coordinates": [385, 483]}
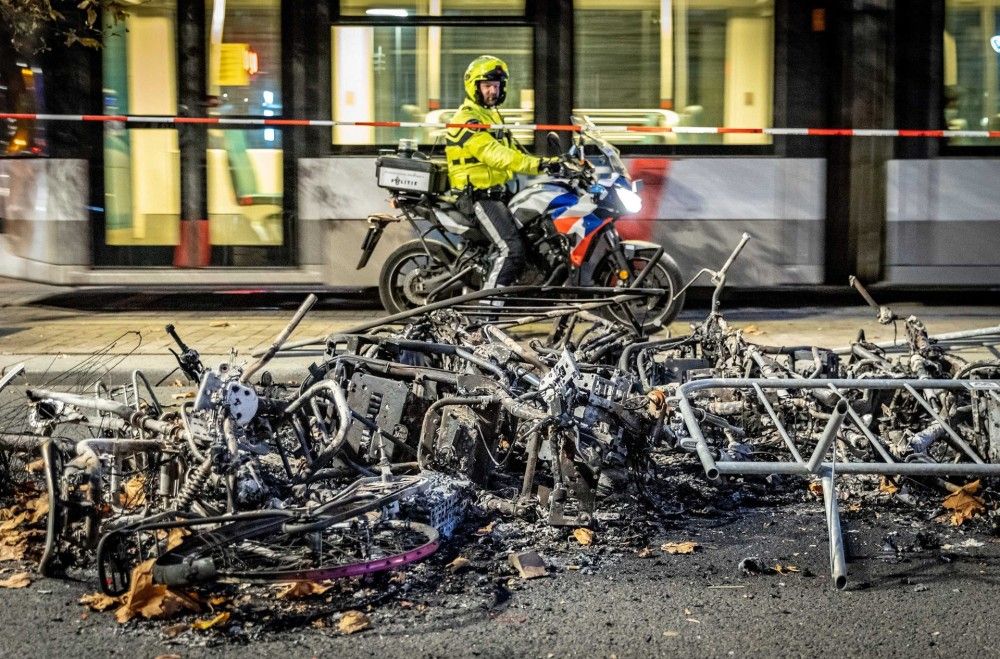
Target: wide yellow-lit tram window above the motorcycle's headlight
{"type": "Point", "coordinates": [688, 63]}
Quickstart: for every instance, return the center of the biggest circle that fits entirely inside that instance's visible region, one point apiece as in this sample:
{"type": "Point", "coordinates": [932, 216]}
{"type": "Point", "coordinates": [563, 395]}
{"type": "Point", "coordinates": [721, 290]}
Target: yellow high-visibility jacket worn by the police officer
{"type": "Point", "coordinates": [481, 157]}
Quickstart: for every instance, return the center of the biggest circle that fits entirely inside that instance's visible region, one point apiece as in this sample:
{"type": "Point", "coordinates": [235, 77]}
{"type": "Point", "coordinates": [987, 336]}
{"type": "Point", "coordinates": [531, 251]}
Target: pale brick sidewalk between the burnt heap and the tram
{"type": "Point", "coordinates": [42, 334]}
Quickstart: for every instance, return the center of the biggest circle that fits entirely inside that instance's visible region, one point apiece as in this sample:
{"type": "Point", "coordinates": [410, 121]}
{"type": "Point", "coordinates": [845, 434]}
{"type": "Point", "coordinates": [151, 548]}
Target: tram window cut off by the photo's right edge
{"type": "Point", "coordinates": [971, 68]}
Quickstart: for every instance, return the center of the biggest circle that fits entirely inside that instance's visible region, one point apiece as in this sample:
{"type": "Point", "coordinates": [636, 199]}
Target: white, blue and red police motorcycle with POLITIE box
{"type": "Point", "coordinates": [567, 221]}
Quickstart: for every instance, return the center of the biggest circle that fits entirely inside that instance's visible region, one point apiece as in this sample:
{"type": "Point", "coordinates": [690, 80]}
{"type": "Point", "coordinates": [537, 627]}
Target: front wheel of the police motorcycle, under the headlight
{"type": "Point", "coordinates": [653, 314]}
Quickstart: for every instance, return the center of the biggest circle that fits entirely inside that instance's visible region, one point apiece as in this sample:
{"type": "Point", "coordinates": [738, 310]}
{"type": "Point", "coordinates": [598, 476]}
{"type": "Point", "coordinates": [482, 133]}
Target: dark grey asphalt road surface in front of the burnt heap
{"type": "Point", "coordinates": [897, 604]}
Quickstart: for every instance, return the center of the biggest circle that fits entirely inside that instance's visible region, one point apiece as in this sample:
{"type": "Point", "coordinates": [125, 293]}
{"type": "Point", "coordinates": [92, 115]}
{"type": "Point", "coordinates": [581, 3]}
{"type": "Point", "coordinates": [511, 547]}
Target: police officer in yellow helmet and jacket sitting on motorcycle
{"type": "Point", "coordinates": [481, 162]}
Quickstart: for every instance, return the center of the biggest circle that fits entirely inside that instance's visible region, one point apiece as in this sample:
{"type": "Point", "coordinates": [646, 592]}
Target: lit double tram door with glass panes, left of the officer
{"type": "Point", "coordinates": [244, 224]}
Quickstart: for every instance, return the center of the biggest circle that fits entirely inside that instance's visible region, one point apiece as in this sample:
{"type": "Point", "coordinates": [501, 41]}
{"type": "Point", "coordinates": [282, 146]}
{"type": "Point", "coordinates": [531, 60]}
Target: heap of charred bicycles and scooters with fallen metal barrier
{"type": "Point", "coordinates": [490, 425]}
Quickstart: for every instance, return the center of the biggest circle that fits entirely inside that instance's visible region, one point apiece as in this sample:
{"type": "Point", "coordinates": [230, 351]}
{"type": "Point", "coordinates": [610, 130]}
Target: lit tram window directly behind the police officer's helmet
{"type": "Point", "coordinates": [414, 73]}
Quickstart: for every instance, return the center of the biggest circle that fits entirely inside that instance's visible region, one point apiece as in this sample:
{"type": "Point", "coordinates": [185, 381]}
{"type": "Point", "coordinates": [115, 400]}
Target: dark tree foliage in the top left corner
{"type": "Point", "coordinates": [32, 25]}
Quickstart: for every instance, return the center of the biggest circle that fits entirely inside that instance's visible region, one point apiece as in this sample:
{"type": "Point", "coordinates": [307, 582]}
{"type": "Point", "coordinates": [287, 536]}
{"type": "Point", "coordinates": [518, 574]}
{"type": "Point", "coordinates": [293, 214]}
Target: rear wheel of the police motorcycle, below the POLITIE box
{"type": "Point", "coordinates": [403, 280]}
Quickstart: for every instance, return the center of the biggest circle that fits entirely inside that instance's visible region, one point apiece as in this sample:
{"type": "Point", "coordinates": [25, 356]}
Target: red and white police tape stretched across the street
{"type": "Point", "coordinates": [680, 130]}
